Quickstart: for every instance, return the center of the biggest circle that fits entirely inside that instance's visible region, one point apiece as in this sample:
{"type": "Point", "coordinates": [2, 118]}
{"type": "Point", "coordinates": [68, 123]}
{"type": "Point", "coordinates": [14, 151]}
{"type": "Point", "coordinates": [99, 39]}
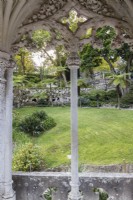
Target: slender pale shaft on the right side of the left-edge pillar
{"type": "Point", "coordinates": [8, 191]}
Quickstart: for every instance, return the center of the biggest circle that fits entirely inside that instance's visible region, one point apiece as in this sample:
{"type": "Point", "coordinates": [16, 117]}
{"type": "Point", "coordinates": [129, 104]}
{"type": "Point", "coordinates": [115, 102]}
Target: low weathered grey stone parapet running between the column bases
{"type": "Point", "coordinates": [31, 186]}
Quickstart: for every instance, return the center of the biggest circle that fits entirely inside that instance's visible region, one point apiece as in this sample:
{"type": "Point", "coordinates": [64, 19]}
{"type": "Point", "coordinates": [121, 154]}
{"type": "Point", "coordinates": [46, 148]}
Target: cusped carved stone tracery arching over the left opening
{"type": "Point", "coordinates": [49, 25]}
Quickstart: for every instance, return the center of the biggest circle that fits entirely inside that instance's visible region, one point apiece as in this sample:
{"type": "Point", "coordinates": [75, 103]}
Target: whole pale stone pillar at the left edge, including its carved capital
{"type": "Point", "coordinates": [6, 191]}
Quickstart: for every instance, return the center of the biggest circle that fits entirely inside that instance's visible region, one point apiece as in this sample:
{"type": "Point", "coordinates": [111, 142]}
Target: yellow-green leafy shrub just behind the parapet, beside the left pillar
{"type": "Point", "coordinates": [27, 158]}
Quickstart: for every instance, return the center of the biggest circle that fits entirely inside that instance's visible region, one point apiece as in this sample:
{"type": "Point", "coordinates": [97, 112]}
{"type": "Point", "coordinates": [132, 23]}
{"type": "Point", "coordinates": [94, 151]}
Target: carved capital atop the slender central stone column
{"type": "Point", "coordinates": [73, 60]}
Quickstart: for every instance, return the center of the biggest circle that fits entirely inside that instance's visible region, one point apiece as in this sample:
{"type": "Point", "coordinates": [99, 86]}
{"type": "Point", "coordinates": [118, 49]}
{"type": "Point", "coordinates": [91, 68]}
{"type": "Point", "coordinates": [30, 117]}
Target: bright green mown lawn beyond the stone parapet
{"type": "Point", "coordinates": [105, 136]}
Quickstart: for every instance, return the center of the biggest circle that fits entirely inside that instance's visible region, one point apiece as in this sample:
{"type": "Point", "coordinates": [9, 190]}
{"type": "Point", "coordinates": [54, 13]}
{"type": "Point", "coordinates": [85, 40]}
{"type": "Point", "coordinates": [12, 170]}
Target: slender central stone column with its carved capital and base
{"type": "Point", "coordinates": [73, 64]}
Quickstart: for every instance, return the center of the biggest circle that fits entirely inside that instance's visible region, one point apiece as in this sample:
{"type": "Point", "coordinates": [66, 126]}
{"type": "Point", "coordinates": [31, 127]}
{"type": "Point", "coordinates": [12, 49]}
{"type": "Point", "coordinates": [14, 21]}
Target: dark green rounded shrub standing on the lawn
{"type": "Point", "coordinates": [36, 123]}
